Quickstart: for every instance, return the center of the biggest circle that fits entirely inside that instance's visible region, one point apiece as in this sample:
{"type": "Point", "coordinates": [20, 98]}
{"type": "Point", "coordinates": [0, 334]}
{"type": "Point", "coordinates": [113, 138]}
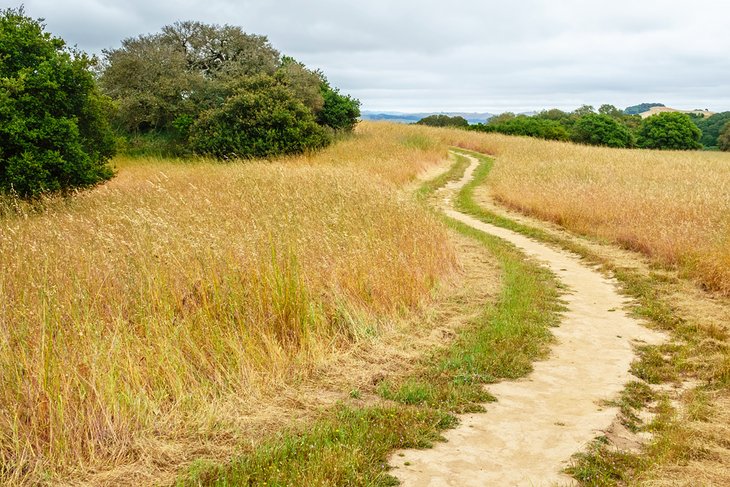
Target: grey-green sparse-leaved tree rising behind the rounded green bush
{"type": "Point", "coordinates": [183, 70]}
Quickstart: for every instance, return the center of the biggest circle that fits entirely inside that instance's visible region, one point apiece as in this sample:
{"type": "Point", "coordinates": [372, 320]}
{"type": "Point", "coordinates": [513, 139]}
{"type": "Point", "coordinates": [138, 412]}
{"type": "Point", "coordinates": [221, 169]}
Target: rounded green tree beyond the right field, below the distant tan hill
{"type": "Point", "coordinates": [670, 130]}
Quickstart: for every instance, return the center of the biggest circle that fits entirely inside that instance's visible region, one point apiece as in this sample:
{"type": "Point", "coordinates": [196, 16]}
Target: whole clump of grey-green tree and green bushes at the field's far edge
{"type": "Point", "coordinates": [192, 79]}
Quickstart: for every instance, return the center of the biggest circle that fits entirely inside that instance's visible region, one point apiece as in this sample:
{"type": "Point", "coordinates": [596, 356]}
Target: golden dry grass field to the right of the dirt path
{"type": "Point", "coordinates": [670, 205]}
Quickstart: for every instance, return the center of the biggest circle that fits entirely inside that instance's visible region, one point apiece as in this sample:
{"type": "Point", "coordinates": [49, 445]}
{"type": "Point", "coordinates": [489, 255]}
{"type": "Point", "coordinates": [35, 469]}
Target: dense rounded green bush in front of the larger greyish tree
{"type": "Point", "coordinates": [260, 119]}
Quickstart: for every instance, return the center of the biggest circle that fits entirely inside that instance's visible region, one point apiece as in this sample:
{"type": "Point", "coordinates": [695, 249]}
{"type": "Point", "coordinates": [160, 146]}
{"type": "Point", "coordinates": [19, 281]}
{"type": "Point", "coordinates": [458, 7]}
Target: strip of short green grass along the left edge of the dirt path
{"type": "Point", "coordinates": [350, 446]}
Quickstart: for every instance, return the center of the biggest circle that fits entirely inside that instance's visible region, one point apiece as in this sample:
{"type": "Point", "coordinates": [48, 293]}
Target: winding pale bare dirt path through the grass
{"type": "Point", "coordinates": [528, 436]}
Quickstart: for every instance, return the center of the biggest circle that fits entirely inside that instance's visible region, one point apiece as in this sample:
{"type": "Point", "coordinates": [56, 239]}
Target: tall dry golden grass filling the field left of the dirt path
{"type": "Point", "coordinates": [151, 309]}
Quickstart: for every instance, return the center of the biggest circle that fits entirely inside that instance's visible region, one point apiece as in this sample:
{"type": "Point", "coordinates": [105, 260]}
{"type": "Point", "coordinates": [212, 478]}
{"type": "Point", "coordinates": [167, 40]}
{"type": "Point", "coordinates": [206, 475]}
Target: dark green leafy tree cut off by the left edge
{"type": "Point", "coordinates": [53, 132]}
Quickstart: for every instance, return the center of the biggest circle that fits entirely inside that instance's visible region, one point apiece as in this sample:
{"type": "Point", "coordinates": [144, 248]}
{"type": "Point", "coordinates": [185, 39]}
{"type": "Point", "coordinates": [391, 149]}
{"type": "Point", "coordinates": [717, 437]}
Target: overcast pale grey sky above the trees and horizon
{"type": "Point", "coordinates": [459, 55]}
